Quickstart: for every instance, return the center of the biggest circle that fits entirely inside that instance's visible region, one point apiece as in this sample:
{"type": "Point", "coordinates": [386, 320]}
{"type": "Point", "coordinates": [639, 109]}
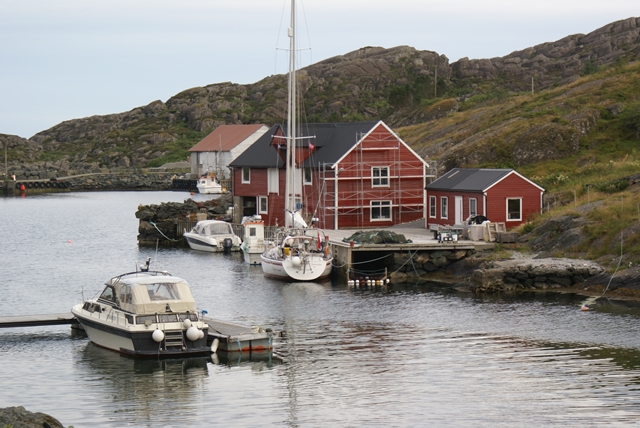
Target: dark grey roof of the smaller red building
{"type": "Point", "coordinates": [468, 179]}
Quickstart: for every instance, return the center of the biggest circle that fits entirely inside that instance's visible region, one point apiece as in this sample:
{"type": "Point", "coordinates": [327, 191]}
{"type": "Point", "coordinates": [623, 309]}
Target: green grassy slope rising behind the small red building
{"type": "Point", "coordinates": [608, 152]}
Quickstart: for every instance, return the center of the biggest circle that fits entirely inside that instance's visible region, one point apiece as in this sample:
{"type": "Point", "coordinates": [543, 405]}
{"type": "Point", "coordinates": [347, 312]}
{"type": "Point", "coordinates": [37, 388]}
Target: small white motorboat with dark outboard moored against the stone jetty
{"type": "Point", "coordinates": [214, 236]}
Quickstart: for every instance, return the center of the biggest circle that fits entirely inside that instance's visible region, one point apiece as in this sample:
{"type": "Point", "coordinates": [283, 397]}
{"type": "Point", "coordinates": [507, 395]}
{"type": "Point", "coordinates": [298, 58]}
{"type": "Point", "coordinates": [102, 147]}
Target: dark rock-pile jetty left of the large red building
{"type": "Point", "coordinates": [159, 224]}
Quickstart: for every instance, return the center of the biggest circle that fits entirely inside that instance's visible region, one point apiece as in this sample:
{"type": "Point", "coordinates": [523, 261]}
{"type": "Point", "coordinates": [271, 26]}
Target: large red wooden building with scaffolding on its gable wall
{"type": "Point", "coordinates": [350, 175]}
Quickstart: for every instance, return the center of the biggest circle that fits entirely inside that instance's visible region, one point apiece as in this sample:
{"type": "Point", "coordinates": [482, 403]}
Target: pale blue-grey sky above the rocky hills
{"type": "Point", "coordinates": [68, 59]}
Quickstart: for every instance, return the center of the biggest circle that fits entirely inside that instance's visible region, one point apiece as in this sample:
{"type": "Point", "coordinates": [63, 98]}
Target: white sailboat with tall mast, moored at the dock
{"type": "Point", "coordinates": [300, 253]}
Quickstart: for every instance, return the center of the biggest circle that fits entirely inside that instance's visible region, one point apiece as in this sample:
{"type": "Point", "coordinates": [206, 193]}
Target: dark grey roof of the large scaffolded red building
{"type": "Point", "coordinates": [332, 141]}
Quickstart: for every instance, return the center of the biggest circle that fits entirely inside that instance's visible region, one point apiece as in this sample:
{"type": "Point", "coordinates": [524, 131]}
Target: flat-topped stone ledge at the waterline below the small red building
{"type": "Point", "coordinates": [532, 274]}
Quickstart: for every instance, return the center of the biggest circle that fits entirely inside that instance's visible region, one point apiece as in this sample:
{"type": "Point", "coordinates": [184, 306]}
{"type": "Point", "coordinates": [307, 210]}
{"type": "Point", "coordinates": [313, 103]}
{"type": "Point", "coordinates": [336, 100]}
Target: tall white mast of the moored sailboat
{"type": "Point", "coordinates": [291, 120]}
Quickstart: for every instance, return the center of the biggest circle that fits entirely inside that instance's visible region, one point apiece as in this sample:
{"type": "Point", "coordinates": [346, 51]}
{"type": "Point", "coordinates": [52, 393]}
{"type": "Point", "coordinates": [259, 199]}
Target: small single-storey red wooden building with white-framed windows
{"type": "Point", "coordinates": [501, 195]}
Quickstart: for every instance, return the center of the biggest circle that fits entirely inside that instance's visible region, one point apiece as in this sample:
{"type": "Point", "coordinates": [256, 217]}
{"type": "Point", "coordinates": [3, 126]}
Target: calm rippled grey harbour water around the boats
{"type": "Point", "coordinates": [404, 357]}
